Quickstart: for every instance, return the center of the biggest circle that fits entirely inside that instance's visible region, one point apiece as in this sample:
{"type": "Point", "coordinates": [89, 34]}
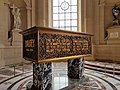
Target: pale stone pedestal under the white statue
{"type": "Point", "coordinates": [16, 37]}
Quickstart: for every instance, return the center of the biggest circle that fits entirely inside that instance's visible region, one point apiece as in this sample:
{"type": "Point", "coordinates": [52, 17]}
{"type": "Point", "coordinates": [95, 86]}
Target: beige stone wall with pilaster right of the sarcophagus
{"type": "Point", "coordinates": [101, 21]}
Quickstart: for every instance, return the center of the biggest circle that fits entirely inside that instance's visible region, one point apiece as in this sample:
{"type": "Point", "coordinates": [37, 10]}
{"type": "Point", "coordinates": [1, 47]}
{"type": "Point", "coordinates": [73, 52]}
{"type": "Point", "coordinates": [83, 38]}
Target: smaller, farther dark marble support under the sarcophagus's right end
{"type": "Point", "coordinates": [76, 68]}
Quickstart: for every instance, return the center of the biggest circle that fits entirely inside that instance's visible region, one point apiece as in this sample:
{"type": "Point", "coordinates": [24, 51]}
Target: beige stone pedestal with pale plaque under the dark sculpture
{"type": "Point", "coordinates": [113, 35]}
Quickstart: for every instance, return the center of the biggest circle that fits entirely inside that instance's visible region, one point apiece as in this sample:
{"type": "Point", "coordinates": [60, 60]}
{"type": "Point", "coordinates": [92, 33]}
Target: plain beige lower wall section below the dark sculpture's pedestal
{"type": "Point", "coordinates": [107, 52]}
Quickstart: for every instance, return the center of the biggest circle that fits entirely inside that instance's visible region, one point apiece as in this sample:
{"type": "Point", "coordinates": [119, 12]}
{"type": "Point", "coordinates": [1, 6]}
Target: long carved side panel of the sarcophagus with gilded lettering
{"type": "Point", "coordinates": [57, 45]}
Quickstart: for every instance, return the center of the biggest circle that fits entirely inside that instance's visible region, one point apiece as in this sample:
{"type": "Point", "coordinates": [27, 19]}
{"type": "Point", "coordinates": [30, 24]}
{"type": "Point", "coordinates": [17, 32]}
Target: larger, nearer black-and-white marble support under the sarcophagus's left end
{"type": "Point", "coordinates": [42, 76]}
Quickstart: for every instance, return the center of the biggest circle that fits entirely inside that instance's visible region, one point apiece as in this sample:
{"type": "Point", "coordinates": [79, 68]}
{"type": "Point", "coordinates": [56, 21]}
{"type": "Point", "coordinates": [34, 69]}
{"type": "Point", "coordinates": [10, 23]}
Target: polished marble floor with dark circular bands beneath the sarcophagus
{"type": "Point", "coordinates": [17, 77]}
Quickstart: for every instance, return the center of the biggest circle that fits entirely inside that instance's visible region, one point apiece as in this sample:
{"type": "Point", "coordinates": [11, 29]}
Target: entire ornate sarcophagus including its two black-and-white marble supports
{"type": "Point", "coordinates": [45, 45]}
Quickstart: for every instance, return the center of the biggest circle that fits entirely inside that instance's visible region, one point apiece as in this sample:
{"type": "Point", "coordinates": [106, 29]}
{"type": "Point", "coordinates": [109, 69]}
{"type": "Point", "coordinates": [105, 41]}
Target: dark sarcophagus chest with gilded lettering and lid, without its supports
{"type": "Point", "coordinates": [41, 44]}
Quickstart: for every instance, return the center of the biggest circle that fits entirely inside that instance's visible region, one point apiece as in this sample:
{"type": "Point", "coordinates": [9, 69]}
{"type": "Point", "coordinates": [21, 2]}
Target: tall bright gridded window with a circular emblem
{"type": "Point", "coordinates": [65, 14]}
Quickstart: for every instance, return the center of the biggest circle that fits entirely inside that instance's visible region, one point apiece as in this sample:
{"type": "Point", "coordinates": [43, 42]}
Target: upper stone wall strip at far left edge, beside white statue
{"type": "Point", "coordinates": [4, 22]}
